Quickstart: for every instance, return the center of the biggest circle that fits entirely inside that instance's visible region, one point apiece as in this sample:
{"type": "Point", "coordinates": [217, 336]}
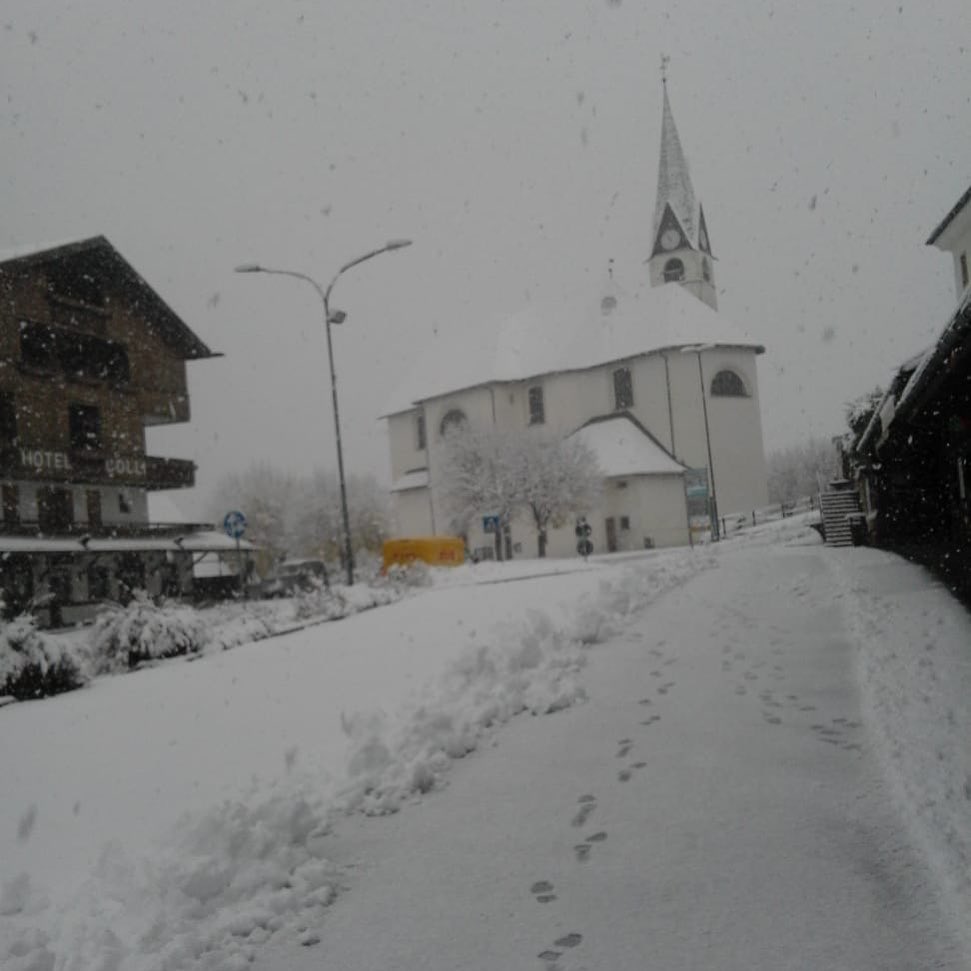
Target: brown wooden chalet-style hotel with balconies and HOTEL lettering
{"type": "Point", "coordinates": [90, 356]}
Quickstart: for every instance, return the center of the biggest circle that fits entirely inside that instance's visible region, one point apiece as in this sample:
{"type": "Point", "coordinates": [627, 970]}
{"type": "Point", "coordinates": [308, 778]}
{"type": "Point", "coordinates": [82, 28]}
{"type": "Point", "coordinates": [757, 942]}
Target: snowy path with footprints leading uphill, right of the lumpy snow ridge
{"type": "Point", "coordinates": [718, 802]}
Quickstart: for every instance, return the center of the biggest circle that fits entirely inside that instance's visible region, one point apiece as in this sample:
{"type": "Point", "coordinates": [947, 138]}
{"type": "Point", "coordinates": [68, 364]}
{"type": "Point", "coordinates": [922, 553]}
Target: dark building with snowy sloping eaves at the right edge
{"type": "Point", "coordinates": [914, 457]}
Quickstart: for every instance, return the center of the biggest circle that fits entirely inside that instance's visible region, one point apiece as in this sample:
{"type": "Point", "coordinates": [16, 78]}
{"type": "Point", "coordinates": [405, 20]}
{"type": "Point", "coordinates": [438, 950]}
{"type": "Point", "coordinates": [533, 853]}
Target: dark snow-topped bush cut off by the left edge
{"type": "Point", "coordinates": [32, 664]}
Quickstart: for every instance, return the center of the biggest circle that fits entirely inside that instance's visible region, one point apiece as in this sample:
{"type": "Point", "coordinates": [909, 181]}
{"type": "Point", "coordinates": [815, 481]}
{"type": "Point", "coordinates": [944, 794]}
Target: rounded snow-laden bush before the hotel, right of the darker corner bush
{"type": "Point", "coordinates": [123, 637]}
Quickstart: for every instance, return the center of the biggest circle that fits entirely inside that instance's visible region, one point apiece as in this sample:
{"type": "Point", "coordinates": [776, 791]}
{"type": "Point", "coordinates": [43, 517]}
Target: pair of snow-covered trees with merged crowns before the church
{"type": "Point", "coordinates": [501, 473]}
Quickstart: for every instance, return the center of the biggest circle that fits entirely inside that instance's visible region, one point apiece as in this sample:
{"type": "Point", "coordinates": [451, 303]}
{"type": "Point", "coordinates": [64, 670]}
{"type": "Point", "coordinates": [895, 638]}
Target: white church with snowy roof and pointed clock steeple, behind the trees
{"type": "Point", "coordinates": [659, 385]}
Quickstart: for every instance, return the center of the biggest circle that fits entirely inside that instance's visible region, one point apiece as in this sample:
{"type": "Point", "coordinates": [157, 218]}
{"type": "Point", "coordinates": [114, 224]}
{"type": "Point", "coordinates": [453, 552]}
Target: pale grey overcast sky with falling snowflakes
{"type": "Point", "coordinates": [516, 143]}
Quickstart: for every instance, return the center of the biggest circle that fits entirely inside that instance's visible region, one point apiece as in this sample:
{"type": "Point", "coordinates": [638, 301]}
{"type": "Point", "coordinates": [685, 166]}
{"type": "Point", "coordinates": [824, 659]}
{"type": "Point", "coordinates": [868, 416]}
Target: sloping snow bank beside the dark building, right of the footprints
{"type": "Point", "coordinates": [914, 664]}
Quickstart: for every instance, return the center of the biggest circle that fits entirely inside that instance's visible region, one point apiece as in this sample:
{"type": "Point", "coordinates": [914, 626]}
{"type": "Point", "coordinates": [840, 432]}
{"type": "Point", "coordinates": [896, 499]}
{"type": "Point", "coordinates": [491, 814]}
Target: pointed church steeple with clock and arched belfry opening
{"type": "Point", "coordinates": [681, 252]}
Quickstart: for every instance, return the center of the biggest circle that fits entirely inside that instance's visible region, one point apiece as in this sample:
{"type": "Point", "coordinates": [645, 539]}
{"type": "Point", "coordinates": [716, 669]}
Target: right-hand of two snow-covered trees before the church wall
{"type": "Point", "coordinates": [560, 478]}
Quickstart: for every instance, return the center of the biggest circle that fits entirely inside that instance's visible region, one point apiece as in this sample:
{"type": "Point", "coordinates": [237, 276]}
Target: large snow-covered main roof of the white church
{"type": "Point", "coordinates": [537, 341]}
